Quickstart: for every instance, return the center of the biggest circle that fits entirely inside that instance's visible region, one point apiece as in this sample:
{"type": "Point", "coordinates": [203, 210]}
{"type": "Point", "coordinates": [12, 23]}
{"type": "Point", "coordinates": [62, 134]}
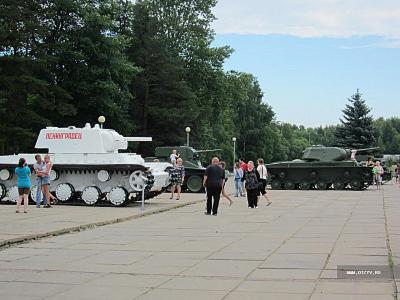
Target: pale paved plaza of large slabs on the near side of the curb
{"type": "Point", "coordinates": [289, 250]}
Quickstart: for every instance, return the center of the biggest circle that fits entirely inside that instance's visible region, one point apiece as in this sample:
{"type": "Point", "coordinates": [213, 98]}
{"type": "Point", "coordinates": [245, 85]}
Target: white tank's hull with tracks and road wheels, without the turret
{"type": "Point", "coordinates": [115, 178]}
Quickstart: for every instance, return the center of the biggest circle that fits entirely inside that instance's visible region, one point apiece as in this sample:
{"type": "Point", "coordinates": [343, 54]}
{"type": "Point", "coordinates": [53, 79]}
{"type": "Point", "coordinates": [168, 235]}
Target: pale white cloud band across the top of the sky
{"type": "Point", "coordinates": [310, 18]}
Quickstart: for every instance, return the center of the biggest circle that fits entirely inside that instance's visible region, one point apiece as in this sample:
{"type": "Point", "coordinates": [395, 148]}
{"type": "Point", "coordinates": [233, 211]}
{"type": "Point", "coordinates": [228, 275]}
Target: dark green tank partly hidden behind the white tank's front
{"type": "Point", "coordinates": [194, 169]}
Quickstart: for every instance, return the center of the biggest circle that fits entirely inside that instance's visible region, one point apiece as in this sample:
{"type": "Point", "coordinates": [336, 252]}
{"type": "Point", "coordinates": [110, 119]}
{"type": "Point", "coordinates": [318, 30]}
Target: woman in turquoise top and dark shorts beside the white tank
{"type": "Point", "coordinates": [23, 183]}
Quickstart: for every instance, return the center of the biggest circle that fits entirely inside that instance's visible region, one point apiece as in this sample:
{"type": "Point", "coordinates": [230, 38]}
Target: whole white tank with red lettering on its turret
{"type": "Point", "coordinates": [87, 165]}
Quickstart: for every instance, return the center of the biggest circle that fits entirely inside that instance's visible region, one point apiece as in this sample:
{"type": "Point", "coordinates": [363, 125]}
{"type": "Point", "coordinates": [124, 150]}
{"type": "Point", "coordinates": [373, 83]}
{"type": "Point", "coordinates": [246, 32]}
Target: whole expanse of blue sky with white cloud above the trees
{"type": "Point", "coordinates": [311, 55]}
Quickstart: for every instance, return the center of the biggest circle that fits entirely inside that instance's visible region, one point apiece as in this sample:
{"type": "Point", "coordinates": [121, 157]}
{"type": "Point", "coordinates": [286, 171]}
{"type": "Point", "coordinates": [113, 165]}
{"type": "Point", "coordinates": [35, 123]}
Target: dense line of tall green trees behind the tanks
{"type": "Point", "coordinates": [149, 66]}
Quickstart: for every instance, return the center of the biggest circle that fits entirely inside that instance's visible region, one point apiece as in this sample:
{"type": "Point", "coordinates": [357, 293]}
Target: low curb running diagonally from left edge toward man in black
{"type": "Point", "coordinates": [32, 237]}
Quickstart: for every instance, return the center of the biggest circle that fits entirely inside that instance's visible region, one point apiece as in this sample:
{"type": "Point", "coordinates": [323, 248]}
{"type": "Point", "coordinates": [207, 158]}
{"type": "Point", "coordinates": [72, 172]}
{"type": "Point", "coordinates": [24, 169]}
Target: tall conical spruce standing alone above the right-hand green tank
{"type": "Point", "coordinates": [356, 130]}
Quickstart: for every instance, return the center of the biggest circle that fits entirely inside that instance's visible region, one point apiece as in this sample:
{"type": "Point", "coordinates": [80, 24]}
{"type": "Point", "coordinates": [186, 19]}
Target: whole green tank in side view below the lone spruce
{"type": "Point", "coordinates": [322, 168]}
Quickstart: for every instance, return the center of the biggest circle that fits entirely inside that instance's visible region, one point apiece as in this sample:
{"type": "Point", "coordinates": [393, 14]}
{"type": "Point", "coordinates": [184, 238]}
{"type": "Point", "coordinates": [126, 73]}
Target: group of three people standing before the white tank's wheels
{"type": "Point", "coordinates": [42, 169]}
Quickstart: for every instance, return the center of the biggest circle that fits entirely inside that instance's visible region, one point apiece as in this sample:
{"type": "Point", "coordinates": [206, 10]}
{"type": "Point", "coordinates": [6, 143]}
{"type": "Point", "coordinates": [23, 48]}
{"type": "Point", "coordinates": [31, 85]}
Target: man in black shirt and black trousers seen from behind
{"type": "Point", "coordinates": [213, 180]}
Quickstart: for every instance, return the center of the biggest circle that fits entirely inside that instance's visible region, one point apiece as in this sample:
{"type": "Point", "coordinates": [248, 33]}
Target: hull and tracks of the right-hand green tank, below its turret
{"type": "Point", "coordinates": [319, 175]}
